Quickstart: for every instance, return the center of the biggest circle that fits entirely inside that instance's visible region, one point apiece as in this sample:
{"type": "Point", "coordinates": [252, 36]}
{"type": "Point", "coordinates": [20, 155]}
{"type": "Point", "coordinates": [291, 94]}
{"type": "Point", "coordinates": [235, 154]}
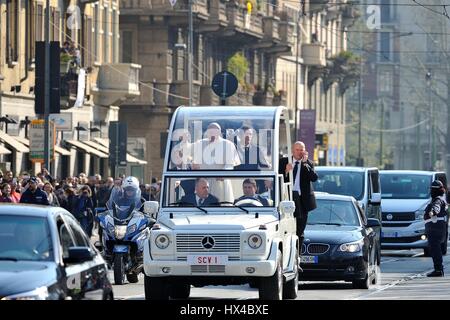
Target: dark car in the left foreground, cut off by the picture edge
{"type": "Point", "coordinates": [45, 255]}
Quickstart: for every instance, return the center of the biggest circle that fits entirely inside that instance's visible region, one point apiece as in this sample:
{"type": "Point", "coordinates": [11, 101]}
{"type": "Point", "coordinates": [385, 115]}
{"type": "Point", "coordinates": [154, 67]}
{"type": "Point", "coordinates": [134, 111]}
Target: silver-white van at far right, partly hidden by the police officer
{"type": "Point", "coordinates": [405, 195]}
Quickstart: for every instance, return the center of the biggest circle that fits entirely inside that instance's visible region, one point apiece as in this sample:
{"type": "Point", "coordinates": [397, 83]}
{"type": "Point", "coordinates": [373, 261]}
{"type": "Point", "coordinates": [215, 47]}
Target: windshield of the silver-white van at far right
{"type": "Point", "coordinates": [405, 186]}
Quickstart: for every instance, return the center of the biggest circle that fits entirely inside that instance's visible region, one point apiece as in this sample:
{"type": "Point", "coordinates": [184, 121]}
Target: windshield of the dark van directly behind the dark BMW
{"type": "Point", "coordinates": [340, 182]}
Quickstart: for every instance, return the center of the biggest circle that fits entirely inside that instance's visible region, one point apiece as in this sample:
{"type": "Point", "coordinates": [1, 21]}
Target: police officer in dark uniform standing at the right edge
{"type": "Point", "coordinates": [435, 223]}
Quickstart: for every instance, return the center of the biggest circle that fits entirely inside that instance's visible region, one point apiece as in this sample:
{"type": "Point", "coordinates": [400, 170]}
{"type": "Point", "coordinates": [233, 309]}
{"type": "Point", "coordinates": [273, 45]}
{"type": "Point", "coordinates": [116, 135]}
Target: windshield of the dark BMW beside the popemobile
{"type": "Point", "coordinates": [334, 212]}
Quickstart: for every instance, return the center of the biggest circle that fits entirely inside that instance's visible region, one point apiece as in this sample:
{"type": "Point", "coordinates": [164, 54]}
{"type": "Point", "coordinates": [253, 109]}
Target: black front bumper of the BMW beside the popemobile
{"type": "Point", "coordinates": [334, 267]}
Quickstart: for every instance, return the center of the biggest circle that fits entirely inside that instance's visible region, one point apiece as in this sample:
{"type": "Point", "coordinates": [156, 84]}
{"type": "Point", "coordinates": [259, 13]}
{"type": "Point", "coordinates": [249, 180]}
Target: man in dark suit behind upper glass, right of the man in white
{"type": "Point", "coordinates": [251, 155]}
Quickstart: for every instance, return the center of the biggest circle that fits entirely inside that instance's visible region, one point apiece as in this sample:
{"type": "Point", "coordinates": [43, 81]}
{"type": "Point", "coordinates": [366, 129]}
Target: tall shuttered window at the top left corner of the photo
{"type": "Point", "coordinates": [12, 30]}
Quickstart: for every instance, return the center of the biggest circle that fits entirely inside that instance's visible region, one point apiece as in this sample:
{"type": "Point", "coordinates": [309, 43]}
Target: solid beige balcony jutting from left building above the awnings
{"type": "Point", "coordinates": [116, 82]}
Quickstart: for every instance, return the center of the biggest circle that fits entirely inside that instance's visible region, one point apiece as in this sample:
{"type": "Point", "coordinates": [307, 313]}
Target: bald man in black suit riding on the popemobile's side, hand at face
{"type": "Point", "coordinates": [304, 175]}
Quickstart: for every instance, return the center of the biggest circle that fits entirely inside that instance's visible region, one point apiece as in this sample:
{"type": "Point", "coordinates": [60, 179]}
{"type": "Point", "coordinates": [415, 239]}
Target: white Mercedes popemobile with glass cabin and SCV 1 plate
{"type": "Point", "coordinates": [226, 215]}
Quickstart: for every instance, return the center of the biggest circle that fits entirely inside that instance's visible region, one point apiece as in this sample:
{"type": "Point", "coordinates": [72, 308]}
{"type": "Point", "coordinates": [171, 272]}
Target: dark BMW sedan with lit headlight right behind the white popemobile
{"type": "Point", "coordinates": [340, 244]}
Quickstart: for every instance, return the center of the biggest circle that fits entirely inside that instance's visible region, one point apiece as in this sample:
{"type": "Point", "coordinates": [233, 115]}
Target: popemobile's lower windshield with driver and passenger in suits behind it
{"type": "Point", "coordinates": [219, 191]}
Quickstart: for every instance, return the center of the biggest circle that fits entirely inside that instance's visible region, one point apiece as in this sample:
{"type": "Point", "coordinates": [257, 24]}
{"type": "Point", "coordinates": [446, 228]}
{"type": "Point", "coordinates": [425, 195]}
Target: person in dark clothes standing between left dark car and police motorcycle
{"type": "Point", "coordinates": [83, 210]}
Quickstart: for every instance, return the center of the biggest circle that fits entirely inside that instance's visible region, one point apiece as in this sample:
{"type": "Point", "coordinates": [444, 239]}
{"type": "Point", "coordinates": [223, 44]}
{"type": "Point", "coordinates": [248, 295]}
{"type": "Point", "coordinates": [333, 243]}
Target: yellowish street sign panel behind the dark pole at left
{"type": "Point", "coordinates": [37, 140]}
